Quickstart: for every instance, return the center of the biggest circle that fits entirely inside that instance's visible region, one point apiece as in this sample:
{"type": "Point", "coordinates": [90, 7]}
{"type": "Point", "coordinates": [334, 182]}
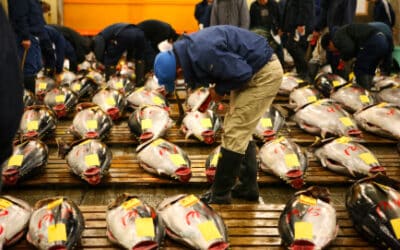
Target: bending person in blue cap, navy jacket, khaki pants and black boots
{"type": "Point", "coordinates": [242, 64]}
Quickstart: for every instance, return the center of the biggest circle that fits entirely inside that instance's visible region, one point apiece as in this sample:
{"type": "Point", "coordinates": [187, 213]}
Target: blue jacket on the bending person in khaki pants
{"type": "Point", "coordinates": [229, 59]}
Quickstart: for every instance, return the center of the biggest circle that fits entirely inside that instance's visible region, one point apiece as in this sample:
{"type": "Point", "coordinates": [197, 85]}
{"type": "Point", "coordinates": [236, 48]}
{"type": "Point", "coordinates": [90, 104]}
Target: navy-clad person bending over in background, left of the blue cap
{"type": "Point", "coordinates": [111, 43]}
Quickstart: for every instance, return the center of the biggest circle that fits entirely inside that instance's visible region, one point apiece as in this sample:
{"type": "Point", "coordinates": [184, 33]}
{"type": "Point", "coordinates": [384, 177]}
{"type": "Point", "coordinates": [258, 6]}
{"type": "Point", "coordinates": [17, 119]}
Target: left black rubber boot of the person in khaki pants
{"type": "Point", "coordinates": [225, 178]}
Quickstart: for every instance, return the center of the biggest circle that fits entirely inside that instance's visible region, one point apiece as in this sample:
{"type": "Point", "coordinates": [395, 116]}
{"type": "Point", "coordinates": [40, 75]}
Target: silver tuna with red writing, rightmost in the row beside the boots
{"type": "Point", "coordinates": [347, 157]}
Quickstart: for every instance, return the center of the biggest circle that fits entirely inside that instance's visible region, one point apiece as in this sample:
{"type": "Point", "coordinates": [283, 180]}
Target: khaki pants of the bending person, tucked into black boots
{"type": "Point", "coordinates": [247, 106]}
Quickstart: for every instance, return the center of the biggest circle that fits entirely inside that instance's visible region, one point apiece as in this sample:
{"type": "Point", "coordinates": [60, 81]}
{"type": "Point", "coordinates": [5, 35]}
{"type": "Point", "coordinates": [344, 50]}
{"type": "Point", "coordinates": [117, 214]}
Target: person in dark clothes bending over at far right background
{"type": "Point", "coordinates": [370, 43]}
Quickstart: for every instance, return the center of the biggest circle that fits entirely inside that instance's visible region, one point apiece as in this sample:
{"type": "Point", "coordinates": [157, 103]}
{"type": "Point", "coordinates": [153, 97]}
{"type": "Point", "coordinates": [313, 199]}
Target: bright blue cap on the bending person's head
{"type": "Point", "coordinates": [165, 69]}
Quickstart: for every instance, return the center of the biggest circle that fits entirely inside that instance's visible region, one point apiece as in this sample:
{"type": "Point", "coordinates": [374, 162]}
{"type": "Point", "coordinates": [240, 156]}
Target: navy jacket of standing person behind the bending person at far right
{"type": "Point", "coordinates": [336, 13]}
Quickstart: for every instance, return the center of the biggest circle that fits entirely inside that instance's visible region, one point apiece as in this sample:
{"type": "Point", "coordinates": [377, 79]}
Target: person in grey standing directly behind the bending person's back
{"type": "Point", "coordinates": [230, 12]}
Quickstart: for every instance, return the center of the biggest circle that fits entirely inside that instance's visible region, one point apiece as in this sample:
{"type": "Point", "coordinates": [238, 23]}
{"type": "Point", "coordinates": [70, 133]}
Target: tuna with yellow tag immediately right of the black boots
{"type": "Point", "coordinates": [284, 158]}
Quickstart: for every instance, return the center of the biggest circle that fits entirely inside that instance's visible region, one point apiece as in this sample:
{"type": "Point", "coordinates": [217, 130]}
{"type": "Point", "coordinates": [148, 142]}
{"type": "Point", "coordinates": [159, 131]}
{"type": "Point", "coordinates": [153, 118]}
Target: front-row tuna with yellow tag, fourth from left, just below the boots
{"type": "Point", "coordinates": [192, 222]}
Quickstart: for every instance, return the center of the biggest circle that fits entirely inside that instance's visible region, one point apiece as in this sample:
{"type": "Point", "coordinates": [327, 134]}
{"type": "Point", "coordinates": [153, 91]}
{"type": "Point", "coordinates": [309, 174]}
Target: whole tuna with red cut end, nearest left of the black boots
{"type": "Point", "coordinates": [164, 158]}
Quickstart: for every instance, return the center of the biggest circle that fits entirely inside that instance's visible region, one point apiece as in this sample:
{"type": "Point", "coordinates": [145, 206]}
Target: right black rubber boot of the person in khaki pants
{"type": "Point", "coordinates": [247, 188]}
